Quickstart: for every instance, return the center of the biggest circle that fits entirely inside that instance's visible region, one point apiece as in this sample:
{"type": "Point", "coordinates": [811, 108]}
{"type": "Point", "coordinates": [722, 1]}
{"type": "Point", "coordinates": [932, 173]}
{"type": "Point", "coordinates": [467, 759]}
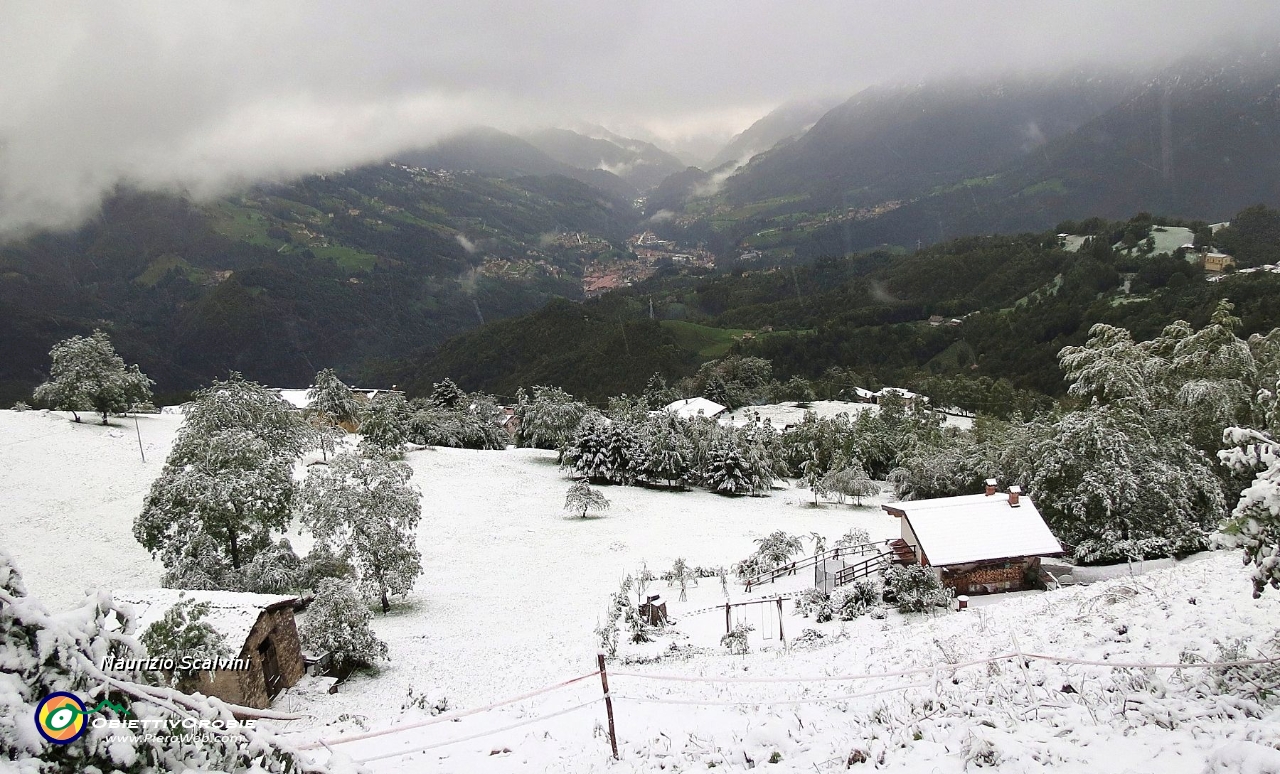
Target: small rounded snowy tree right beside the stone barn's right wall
{"type": "Point", "coordinates": [337, 624]}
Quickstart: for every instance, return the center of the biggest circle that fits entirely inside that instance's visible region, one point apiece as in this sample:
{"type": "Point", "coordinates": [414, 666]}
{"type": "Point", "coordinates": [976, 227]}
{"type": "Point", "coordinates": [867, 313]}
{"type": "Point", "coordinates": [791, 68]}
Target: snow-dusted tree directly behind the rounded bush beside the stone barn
{"type": "Point", "coordinates": [367, 510]}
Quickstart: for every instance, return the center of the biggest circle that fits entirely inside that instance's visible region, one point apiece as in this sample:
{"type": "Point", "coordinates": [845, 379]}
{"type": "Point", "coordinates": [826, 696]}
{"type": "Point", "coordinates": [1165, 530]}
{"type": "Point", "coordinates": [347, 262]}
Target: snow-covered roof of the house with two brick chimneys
{"type": "Point", "coordinates": [977, 528]}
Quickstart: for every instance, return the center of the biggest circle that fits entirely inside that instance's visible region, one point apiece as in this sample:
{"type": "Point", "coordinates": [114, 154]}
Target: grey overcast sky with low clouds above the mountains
{"type": "Point", "coordinates": [207, 97]}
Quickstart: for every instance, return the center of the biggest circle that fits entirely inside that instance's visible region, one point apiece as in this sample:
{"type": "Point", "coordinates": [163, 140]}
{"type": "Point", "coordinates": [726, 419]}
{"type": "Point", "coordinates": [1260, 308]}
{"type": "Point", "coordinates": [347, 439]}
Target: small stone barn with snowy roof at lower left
{"type": "Point", "coordinates": [260, 634]}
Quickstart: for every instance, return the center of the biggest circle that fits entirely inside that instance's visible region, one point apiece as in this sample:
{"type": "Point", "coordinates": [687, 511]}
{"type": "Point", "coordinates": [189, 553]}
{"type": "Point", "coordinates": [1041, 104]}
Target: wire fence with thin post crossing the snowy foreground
{"type": "Point", "coordinates": [936, 671]}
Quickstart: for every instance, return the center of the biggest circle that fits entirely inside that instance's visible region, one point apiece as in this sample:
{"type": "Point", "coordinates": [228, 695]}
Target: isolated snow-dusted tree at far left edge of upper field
{"type": "Point", "coordinates": [89, 375]}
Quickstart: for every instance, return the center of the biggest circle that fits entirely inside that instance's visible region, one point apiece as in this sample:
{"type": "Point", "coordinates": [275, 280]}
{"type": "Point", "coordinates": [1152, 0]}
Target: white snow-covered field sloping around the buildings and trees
{"type": "Point", "coordinates": [514, 588]}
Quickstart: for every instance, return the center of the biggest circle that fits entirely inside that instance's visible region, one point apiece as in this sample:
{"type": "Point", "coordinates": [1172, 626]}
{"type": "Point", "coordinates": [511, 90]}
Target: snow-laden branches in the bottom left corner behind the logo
{"type": "Point", "coordinates": [44, 654]}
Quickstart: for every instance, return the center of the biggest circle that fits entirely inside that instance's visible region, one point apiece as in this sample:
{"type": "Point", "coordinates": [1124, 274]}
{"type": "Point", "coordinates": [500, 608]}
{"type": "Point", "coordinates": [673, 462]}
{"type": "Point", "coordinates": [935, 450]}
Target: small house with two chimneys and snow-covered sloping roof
{"type": "Point", "coordinates": [977, 544]}
